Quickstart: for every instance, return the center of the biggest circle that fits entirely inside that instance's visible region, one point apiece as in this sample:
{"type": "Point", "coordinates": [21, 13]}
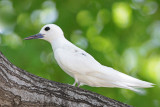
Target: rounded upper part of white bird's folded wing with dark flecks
{"type": "Point", "coordinates": [75, 60]}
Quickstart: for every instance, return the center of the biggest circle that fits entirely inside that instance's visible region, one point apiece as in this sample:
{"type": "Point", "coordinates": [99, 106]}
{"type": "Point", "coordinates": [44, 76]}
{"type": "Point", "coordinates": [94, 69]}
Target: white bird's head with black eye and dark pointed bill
{"type": "Point", "coordinates": [48, 32]}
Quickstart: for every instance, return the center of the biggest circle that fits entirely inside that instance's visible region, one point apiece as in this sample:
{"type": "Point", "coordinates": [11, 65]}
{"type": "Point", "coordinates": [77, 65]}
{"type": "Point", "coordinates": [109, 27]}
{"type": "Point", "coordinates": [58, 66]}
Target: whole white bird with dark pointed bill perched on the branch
{"type": "Point", "coordinates": [82, 66]}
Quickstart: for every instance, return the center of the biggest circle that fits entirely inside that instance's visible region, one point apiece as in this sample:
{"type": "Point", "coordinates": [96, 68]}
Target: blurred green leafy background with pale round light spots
{"type": "Point", "coordinates": [123, 34]}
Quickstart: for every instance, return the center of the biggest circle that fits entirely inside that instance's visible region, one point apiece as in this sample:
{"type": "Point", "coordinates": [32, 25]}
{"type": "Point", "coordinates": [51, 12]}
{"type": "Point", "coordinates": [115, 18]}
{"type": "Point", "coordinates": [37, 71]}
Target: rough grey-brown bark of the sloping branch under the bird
{"type": "Point", "coordinates": [19, 88]}
